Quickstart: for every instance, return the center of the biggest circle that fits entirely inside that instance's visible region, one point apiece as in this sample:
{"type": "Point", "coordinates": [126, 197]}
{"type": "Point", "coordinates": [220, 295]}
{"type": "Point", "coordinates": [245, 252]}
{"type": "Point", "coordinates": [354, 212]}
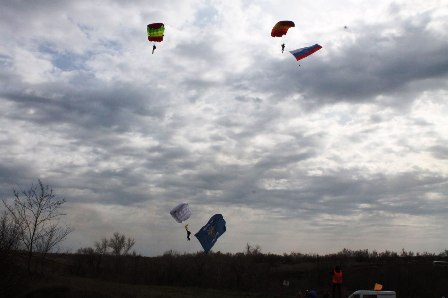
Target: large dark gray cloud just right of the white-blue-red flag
{"type": "Point", "coordinates": [401, 65]}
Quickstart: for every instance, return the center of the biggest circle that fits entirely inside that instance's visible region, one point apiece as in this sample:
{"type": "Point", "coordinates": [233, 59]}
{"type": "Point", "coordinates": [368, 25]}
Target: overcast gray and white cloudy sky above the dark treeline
{"type": "Point", "coordinates": [347, 150]}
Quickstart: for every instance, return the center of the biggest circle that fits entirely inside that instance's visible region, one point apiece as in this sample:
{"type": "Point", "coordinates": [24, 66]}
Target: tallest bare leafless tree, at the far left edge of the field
{"type": "Point", "coordinates": [37, 212]}
